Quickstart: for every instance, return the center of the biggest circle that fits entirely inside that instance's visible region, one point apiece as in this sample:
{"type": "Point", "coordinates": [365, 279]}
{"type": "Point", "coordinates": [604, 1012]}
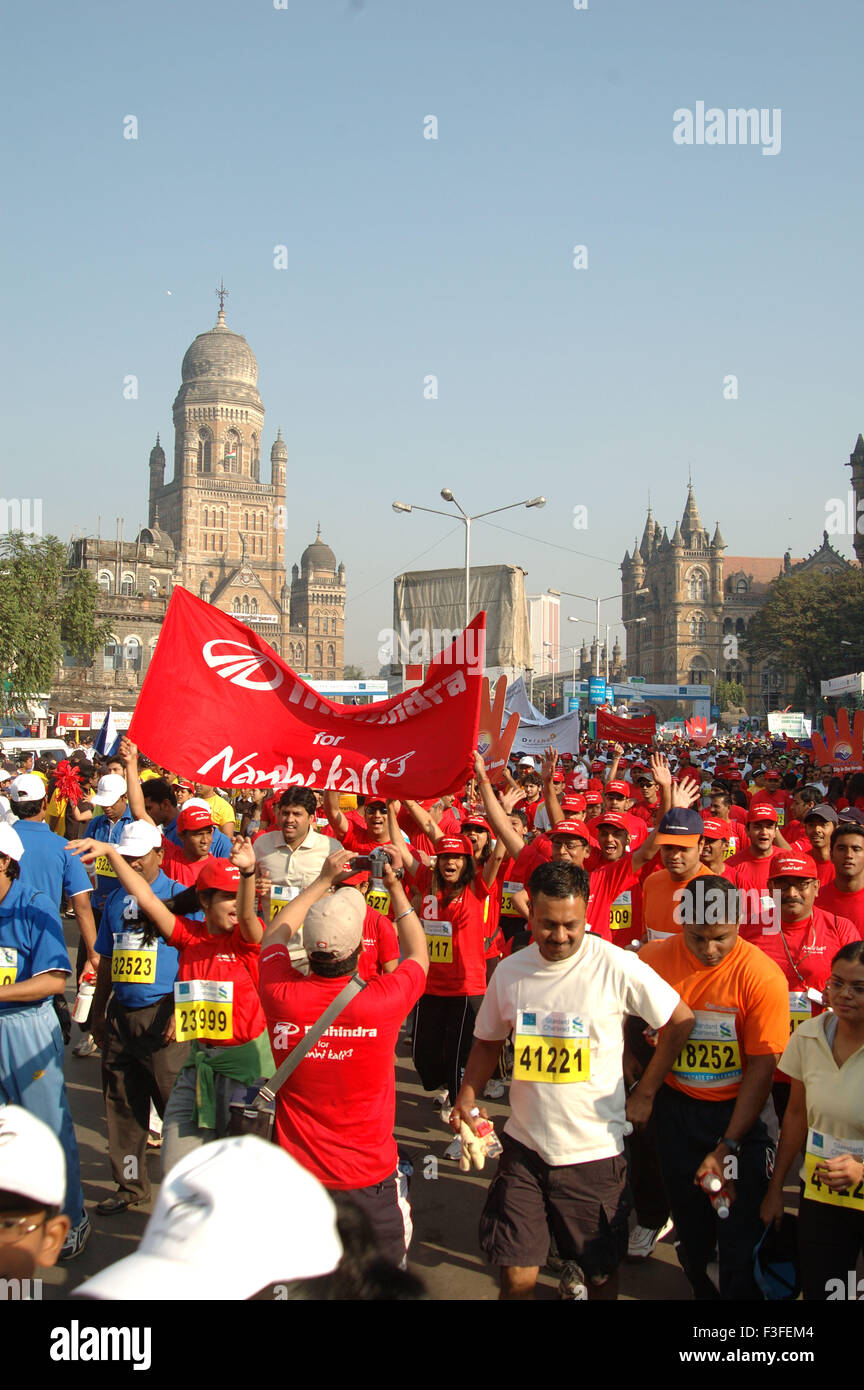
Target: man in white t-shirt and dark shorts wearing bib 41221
{"type": "Point", "coordinates": [563, 1170]}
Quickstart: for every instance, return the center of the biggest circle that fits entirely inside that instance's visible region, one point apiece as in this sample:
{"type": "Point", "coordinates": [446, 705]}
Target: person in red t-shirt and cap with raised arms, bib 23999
{"type": "Point", "coordinates": [216, 995]}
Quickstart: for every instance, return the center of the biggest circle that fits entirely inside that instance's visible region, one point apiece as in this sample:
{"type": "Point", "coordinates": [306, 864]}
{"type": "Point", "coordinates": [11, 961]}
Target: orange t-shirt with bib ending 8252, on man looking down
{"type": "Point", "coordinates": [741, 1007]}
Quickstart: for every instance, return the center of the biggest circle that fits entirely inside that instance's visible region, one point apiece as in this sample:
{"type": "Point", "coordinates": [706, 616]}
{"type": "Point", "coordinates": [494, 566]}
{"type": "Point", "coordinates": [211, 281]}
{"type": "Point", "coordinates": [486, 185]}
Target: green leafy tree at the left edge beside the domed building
{"type": "Point", "coordinates": [40, 614]}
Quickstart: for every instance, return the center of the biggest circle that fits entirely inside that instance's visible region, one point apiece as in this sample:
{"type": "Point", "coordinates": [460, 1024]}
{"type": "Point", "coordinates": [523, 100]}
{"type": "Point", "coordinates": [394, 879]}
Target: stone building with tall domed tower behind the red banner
{"type": "Point", "coordinates": [219, 530]}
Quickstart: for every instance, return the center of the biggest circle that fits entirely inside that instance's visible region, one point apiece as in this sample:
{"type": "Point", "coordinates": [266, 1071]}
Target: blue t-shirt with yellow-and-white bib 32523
{"type": "Point", "coordinates": [147, 975]}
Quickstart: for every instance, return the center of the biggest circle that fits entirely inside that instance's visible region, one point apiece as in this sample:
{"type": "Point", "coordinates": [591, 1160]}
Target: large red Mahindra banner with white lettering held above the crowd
{"type": "Point", "coordinates": [220, 707]}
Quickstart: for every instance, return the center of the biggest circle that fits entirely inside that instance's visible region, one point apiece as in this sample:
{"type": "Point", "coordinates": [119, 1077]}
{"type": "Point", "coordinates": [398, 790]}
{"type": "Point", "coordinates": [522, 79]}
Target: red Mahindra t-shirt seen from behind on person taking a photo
{"type": "Point", "coordinates": [335, 1114]}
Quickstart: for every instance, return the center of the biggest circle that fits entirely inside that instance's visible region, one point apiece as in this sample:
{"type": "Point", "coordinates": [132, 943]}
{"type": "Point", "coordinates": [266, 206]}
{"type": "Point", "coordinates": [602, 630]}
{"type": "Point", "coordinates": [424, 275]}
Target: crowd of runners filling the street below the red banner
{"type": "Point", "coordinates": [655, 960]}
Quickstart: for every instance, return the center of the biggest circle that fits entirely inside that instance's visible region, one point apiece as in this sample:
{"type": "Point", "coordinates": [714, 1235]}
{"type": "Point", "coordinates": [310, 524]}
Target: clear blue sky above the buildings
{"type": "Point", "coordinates": [260, 127]}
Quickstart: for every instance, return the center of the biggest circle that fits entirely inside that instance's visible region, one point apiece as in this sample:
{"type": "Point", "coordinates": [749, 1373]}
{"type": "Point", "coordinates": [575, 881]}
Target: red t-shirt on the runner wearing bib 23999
{"type": "Point", "coordinates": [226, 958]}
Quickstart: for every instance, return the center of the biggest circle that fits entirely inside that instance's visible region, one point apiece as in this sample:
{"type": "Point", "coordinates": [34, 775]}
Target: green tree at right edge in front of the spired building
{"type": "Point", "coordinates": [813, 625]}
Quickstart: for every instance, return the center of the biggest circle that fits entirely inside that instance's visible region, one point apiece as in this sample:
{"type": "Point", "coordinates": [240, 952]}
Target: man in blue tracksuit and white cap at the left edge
{"type": "Point", "coordinates": [34, 967]}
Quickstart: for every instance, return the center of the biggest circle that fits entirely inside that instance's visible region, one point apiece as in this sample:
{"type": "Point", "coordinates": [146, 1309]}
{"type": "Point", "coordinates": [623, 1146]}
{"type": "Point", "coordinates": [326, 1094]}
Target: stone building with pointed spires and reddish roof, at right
{"type": "Point", "coordinates": [697, 605]}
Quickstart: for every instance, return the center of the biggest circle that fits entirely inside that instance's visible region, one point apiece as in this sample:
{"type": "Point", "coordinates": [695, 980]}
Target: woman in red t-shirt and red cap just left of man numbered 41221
{"type": "Point", "coordinates": [454, 901]}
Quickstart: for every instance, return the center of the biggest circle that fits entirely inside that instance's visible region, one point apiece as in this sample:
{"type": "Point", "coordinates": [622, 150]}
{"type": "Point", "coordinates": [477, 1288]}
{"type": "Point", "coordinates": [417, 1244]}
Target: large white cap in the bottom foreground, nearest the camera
{"type": "Point", "coordinates": [231, 1218]}
